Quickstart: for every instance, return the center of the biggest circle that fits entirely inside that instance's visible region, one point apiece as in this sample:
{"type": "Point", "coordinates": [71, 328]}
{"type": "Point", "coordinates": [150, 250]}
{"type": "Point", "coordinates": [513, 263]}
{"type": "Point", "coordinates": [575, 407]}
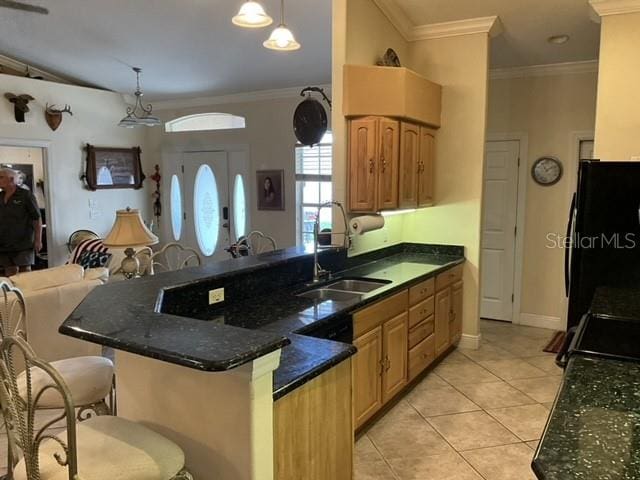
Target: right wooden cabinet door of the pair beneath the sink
{"type": "Point", "coordinates": [395, 333]}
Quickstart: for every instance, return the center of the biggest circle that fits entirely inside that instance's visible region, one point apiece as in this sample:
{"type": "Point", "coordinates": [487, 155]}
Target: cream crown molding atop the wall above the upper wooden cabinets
{"type": "Point", "coordinates": [411, 32]}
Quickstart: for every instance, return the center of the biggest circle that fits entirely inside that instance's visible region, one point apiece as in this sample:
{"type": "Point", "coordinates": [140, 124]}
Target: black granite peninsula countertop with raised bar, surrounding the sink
{"type": "Point", "coordinates": [129, 315]}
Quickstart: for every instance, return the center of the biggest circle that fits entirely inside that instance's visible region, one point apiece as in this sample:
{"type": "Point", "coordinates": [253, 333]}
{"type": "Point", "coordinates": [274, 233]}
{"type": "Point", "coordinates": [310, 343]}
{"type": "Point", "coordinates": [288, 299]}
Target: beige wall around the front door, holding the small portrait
{"type": "Point", "coordinates": [270, 141]}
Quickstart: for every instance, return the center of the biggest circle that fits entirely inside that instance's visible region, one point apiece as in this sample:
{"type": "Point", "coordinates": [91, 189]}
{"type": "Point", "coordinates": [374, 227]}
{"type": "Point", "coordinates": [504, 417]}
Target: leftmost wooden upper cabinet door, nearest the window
{"type": "Point", "coordinates": [362, 164]}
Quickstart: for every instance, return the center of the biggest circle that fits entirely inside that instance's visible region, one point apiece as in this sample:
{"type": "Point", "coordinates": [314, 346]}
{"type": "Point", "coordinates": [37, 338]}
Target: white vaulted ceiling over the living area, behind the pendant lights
{"type": "Point", "coordinates": [187, 48]}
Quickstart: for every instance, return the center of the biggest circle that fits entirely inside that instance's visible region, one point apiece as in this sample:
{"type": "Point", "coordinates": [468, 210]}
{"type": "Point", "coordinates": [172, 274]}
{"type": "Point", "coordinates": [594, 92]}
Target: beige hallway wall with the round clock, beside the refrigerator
{"type": "Point", "coordinates": [549, 110]}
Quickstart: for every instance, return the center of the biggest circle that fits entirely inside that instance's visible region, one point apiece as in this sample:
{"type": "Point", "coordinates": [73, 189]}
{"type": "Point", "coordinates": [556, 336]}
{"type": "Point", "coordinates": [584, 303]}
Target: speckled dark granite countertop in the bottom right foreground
{"type": "Point", "coordinates": [593, 431]}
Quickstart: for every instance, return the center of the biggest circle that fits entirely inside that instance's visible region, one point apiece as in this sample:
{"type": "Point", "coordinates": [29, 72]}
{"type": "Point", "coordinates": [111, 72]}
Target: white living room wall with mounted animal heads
{"type": "Point", "coordinates": [95, 117]}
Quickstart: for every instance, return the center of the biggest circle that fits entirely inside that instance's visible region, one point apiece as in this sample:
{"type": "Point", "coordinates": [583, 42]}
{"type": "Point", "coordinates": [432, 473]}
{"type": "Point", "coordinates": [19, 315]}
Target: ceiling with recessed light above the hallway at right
{"type": "Point", "coordinates": [527, 24]}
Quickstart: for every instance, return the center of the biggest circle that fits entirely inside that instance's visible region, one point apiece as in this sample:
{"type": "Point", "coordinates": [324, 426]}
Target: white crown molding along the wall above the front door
{"type": "Point", "coordinates": [256, 96]}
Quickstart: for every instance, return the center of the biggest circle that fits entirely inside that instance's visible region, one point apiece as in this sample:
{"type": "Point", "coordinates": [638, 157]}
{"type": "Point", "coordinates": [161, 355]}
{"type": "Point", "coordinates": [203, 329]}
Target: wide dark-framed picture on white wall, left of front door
{"type": "Point", "coordinates": [113, 168]}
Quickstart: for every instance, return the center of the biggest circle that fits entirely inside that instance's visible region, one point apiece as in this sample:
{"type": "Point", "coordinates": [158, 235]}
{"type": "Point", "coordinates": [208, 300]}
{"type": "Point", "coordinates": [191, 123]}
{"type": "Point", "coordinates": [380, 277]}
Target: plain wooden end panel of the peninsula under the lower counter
{"type": "Point", "coordinates": [313, 430]}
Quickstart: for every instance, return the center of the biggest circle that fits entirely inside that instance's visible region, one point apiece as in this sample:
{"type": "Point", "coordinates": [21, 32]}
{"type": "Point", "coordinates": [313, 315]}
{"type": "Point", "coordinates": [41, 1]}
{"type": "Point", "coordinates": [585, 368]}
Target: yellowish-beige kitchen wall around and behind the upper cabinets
{"type": "Point", "coordinates": [460, 64]}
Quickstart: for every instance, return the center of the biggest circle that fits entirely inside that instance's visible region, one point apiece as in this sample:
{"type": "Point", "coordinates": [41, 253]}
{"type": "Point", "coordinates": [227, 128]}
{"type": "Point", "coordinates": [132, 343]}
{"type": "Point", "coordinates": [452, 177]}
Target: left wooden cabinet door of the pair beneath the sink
{"type": "Point", "coordinates": [367, 376]}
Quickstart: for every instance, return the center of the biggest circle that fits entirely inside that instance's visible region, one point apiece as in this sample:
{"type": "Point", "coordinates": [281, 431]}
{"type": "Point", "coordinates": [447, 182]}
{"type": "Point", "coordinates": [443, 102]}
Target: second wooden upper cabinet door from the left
{"type": "Point", "coordinates": [389, 153]}
